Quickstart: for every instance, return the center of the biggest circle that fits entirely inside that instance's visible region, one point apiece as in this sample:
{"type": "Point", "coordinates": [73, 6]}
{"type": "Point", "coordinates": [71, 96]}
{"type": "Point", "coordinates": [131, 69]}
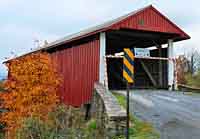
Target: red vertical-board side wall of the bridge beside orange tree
{"type": "Point", "coordinates": [79, 67]}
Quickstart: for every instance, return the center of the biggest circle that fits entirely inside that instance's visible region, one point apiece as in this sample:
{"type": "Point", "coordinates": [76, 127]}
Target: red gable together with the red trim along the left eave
{"type": "Point", "coordinates": [153, 19]}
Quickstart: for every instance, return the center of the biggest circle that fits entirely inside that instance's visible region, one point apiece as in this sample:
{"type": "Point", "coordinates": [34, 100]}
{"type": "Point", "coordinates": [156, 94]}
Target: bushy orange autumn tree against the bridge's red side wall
{"type": "Point", "coordinates": [32, 89]}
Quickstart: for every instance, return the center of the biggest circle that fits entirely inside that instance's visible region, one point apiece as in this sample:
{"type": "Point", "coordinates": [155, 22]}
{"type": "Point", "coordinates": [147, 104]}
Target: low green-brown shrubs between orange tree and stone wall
{"type": "Point", "coordinates": [60, 124]}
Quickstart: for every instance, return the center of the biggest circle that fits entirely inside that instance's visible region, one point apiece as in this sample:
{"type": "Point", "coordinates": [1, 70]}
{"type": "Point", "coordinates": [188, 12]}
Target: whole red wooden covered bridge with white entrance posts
{"type": "Point", "coordinates": [81, 56]}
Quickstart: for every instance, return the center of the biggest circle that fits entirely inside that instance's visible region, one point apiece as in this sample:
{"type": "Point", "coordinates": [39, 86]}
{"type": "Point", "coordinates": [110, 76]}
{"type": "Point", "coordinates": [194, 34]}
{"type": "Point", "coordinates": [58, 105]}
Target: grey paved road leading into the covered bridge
{"type": "Point", "coordinates": [175, 114]}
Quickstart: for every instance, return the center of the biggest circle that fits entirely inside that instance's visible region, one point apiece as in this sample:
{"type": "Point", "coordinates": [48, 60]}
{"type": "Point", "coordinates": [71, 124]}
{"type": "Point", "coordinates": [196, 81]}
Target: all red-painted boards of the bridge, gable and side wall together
{"type": "Point", "coordinates": [79, 65]}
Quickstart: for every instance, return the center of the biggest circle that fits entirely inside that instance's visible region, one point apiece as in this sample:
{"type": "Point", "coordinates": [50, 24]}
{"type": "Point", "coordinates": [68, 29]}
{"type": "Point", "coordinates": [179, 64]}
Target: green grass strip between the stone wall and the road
{"type": "Point", "coordinates": [138, 128]}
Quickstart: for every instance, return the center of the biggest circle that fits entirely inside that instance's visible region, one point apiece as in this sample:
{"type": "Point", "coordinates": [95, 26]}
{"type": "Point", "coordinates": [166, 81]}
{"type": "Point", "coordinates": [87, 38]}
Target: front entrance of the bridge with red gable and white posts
{"type": "Point", "coordinates": [145, 28]}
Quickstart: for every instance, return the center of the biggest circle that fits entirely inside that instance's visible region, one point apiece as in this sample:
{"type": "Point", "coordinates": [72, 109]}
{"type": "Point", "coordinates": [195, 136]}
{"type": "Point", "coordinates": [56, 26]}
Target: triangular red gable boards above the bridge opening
{"type": "Point", "coordinates": [153, 21]}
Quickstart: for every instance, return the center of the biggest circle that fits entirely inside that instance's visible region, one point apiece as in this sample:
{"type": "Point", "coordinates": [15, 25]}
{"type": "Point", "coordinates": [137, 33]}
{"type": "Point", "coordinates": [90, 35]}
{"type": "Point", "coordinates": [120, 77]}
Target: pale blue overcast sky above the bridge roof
{"type": "Point", "coordinates": [23, 21]}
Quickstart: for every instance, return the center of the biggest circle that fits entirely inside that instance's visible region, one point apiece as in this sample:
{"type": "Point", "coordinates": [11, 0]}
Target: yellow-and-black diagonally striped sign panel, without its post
{"type": "Point", "coordinates": [128, 67]}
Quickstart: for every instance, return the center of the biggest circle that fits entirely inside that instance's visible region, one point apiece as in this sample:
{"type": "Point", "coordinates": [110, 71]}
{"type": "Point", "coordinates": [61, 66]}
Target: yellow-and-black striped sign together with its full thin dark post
{"type": "Point", "coordinates": [128, 72]}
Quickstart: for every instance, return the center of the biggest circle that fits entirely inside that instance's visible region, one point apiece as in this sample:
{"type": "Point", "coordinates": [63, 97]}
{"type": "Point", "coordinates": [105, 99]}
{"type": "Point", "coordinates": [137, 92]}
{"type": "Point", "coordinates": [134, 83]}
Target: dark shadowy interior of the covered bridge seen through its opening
{"type": "Point", "coordinates": [148, 73]}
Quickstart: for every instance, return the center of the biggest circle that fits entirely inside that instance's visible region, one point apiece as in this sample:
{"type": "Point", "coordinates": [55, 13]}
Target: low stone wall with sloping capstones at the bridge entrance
{"type": "Point", "coordinates": [110, 116]}
